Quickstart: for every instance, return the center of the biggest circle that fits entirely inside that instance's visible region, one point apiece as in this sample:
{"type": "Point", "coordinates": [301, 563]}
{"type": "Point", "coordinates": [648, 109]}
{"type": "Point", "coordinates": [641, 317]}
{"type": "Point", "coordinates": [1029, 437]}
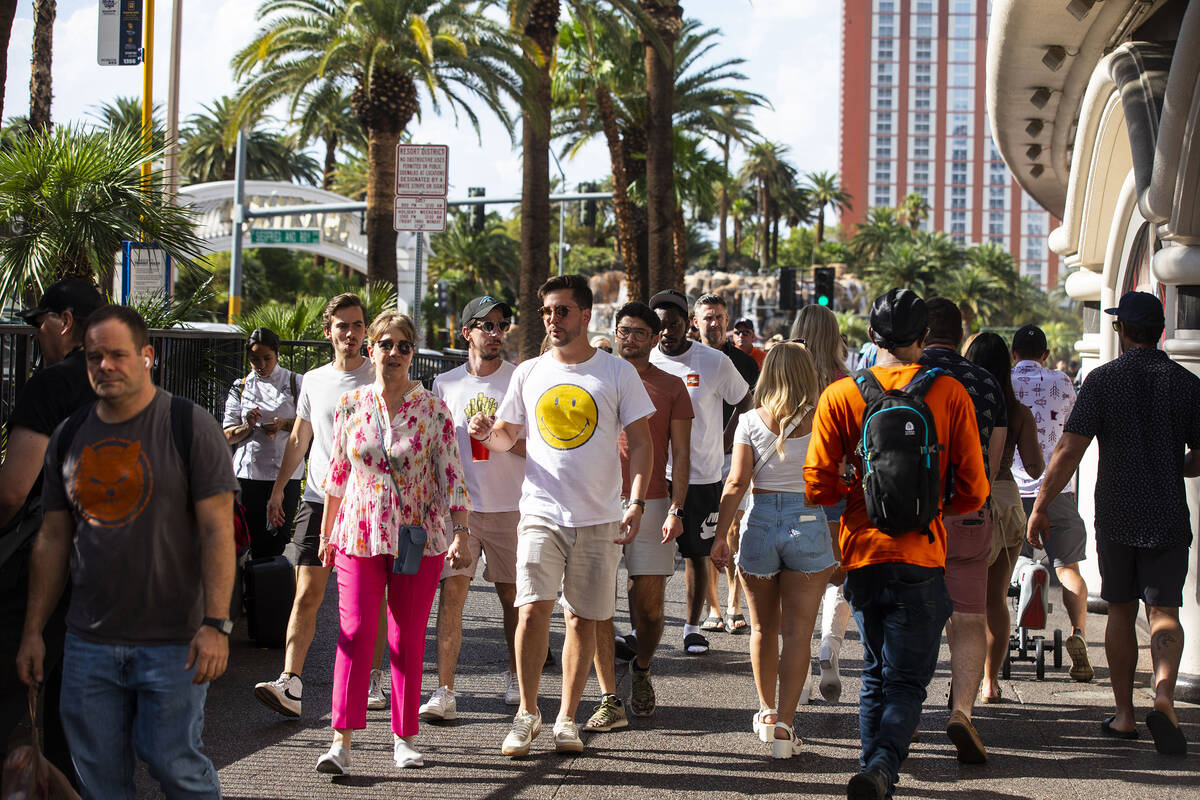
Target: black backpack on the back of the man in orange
{"type": "Point", "coordinates": [901, 453]}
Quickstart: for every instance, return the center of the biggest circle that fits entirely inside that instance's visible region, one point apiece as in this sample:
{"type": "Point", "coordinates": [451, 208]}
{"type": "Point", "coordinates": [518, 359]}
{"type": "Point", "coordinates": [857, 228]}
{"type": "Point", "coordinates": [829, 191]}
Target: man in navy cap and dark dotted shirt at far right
{"type": "Point", "coordinates": [1145, 411]}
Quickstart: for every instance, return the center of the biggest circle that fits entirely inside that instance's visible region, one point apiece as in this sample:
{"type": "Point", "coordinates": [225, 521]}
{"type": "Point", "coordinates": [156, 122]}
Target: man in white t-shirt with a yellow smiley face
{"type": "Point", "coordinates": [574, 401]}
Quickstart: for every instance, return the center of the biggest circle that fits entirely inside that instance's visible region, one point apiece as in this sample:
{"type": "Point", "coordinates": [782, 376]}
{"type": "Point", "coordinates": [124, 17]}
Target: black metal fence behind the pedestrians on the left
{"type": "Point", "coordinates": [199, 365]}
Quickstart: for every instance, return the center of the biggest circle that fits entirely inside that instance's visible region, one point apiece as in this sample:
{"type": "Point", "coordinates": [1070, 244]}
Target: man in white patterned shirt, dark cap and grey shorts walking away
{"type": "Point", "coordinates": [1051, 395]}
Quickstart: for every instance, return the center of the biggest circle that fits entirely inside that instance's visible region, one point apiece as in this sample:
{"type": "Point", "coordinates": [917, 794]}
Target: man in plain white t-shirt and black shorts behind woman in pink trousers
{"type": "Point", "coordinates": [345, 323]}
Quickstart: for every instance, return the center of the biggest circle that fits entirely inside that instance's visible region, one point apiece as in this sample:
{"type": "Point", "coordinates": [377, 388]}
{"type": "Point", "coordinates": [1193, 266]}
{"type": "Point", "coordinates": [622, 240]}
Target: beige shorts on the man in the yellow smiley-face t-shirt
{"type": "Point", "coordinates": [583, 562]}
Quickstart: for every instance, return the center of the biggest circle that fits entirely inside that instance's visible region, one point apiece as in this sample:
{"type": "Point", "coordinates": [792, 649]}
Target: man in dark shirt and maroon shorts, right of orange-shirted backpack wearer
{"type": "Point", "coordinates": [968, 537]}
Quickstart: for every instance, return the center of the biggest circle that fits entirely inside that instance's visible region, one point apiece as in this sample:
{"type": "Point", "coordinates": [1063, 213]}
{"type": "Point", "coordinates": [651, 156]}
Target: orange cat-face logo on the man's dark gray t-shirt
{"type": "Point", "coordinates": [112, 483]}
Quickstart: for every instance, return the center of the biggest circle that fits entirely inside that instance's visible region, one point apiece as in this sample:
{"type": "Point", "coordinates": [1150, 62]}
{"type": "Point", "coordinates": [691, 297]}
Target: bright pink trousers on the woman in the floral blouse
{"type": "Point", "coordinates": [361, 586]}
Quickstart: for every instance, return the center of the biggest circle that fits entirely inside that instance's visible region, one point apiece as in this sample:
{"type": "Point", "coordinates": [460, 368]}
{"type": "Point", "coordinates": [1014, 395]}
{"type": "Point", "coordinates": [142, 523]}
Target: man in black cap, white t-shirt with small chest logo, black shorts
{"type": "Point", "coordinates": [711, 380]}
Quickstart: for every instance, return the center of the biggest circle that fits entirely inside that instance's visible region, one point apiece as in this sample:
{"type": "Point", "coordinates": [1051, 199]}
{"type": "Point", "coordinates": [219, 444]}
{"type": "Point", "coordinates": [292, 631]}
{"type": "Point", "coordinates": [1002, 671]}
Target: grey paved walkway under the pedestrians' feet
{"type": "Point", "coordinates": [1045, 741]}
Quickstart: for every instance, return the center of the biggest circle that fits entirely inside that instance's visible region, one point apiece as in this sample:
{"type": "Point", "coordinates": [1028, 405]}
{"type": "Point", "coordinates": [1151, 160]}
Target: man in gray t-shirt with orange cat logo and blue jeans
{"type": "Point", "coordinates": [149, 543]}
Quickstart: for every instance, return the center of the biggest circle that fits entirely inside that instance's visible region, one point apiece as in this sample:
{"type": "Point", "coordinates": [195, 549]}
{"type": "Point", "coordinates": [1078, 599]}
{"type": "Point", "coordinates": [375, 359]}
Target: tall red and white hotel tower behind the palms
{"type": "Point", "coordinates": [914, 119]}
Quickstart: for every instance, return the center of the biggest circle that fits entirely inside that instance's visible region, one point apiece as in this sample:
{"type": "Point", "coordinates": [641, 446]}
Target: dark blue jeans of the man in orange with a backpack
{"type": "Point", "coordinates": [901, 611]}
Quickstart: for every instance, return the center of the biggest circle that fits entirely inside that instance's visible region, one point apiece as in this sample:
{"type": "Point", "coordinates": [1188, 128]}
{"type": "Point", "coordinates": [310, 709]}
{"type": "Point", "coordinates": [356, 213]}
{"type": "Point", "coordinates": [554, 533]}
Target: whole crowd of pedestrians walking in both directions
{"type": "Point", "coordinates": [899, 494]}
